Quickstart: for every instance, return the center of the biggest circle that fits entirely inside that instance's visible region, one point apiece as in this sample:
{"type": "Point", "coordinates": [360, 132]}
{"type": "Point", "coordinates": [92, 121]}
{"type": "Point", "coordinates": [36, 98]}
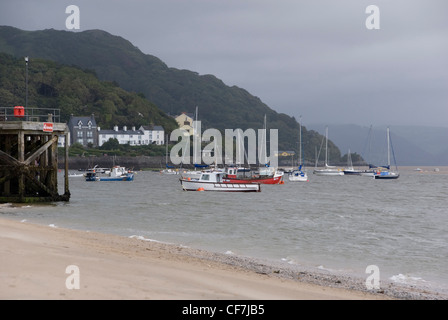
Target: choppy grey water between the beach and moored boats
{"type": "Point", "coordinates": [342, 223]}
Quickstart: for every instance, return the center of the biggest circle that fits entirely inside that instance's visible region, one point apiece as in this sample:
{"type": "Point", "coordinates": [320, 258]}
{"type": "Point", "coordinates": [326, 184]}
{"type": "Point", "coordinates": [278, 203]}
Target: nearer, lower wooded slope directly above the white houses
{"type": "Point", "coordinates": [75, 91]}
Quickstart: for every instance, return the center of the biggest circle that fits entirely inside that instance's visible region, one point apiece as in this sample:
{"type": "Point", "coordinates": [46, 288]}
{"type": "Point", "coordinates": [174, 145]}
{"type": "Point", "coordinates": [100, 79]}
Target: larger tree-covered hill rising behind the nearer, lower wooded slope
{"type": "Point", "coordinates": [172, 90]}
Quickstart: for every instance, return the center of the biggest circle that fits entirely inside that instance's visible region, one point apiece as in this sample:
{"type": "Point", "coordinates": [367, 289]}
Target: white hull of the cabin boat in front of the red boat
{"type": "Point", "coordinates": [192, 185]}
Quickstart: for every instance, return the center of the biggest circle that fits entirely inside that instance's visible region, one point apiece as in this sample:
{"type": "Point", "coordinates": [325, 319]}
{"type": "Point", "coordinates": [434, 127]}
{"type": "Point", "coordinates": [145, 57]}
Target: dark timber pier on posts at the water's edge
{"type": "Point", "coordinates": [29, 161]}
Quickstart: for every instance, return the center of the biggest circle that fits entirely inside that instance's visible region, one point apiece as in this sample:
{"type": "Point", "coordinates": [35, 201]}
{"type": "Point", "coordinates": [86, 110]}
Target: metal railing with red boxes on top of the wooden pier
{"type": "Point", "coordinates": [30, 114]}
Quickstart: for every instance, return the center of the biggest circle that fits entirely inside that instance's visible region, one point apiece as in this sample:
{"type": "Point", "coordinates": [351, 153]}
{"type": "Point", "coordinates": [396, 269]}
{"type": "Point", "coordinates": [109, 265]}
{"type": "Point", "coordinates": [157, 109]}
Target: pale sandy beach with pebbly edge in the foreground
{"type": "Point", "coordinates": [48, 262]}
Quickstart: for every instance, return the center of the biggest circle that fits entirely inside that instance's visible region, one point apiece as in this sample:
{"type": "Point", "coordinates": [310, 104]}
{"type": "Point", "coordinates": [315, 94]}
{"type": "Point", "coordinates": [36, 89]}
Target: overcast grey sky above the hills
{"type": "Point", "coordinates": [310, 58]}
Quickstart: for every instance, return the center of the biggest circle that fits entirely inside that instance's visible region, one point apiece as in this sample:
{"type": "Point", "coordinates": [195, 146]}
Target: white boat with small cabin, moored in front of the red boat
{"type": "Point", "coordinates": [214, 181]}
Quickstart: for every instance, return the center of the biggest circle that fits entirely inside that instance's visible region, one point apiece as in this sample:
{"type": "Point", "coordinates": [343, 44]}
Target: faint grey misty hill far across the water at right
{"type": "Point", "coordinates": [413, 145]}
